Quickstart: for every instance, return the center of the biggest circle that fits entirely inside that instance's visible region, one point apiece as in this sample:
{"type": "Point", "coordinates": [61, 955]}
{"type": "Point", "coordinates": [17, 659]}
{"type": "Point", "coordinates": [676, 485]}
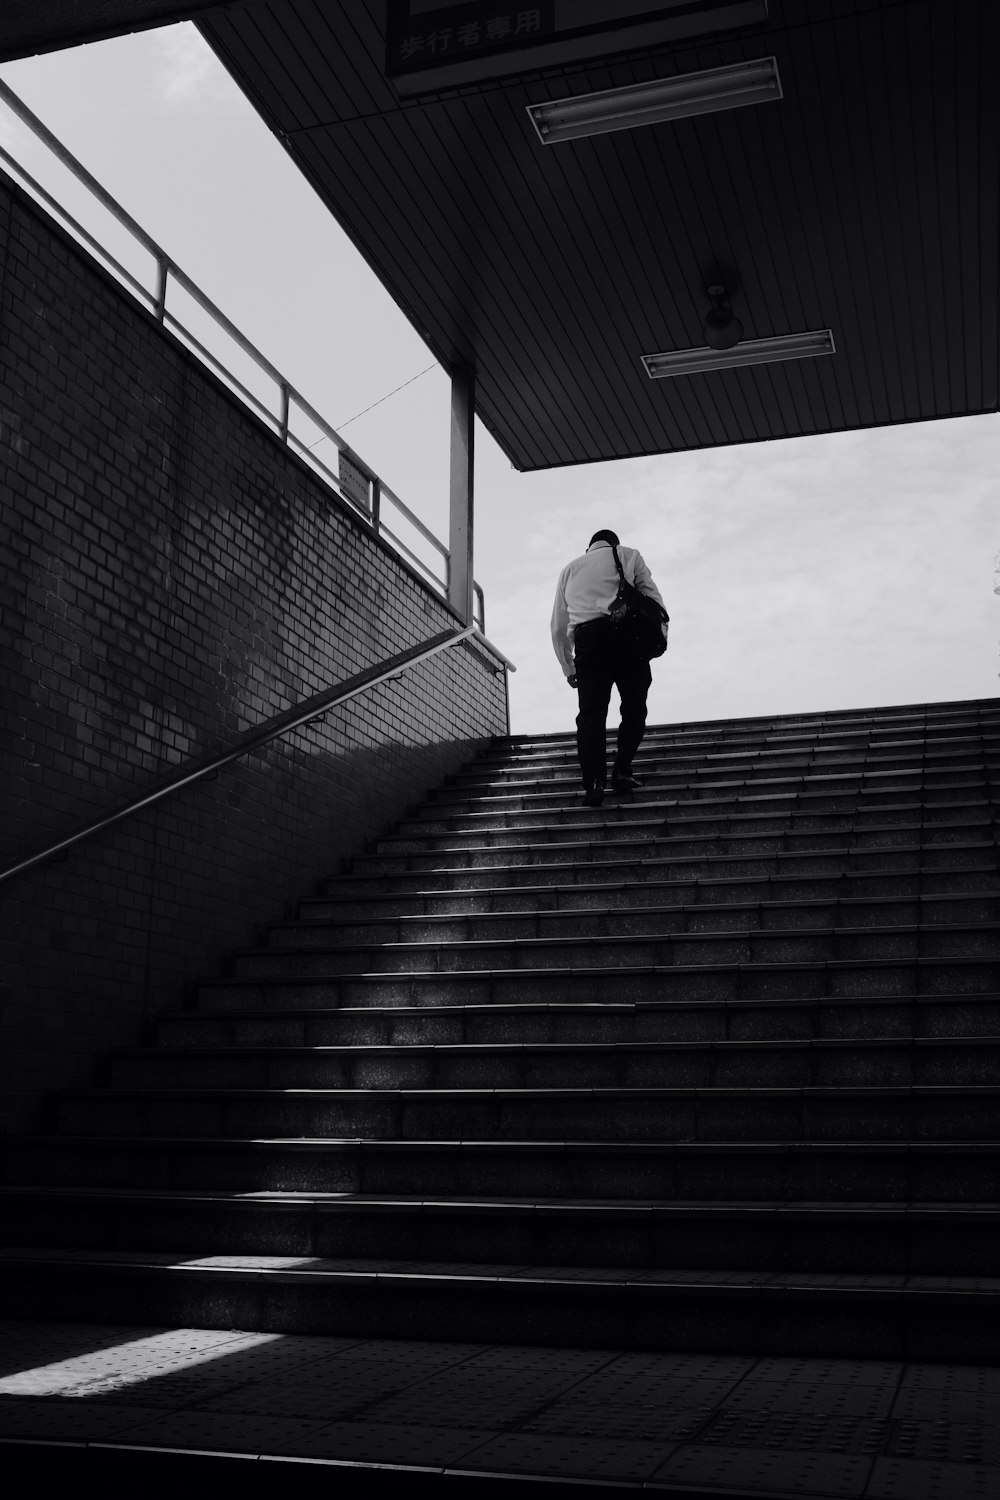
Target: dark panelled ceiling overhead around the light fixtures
{"type": "Point", "coordinates": [864, 200]}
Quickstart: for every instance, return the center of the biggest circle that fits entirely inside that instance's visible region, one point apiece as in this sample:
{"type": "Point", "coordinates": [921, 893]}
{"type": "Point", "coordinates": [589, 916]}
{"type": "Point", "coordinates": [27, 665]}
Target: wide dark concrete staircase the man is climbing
{"type": "Point", "coordinates": [714, 1067]}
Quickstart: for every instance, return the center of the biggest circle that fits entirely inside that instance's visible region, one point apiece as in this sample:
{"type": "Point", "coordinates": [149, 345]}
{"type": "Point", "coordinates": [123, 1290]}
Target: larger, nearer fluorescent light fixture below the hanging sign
{"type": "Point", "coordinates": [662, 100]}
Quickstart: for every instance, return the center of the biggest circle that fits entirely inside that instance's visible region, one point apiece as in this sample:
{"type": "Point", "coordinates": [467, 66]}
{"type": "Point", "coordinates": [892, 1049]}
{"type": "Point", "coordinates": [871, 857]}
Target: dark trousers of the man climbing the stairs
{"type": "Point", "coordinates": [602, 661]}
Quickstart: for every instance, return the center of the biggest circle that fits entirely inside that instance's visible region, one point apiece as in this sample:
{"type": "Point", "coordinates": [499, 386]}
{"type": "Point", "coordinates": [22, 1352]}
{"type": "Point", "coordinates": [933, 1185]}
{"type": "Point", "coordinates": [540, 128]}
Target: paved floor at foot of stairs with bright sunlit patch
{"type": "Point", "coordinates": [684, 1423]}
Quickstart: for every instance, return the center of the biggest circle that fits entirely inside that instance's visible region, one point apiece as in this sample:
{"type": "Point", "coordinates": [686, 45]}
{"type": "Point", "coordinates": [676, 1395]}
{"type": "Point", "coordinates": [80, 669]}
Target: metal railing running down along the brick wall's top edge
{"type": "Point", "coordinates": [167, 271]}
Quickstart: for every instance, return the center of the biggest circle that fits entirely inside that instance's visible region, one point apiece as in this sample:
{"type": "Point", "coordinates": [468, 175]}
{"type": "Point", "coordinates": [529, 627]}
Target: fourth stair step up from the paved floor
{"type": "Point", "coordinates": [923, 1112]}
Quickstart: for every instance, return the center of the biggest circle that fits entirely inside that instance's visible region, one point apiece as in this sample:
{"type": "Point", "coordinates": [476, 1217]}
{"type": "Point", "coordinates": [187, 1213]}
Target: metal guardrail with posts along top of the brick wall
{"type": "Point", "coordinates": [355, 482]}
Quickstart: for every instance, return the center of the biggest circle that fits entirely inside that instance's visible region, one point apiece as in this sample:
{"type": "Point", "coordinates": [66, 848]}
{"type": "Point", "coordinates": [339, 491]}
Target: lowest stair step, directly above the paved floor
{"type": "Point", "coordinates": [833, 1316]}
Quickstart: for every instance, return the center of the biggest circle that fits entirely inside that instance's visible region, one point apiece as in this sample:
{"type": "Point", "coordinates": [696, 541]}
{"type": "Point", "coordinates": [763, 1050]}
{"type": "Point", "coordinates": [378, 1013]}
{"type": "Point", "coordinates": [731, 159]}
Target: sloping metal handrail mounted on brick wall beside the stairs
{"type": "Point", "coordinates": [283, 724]}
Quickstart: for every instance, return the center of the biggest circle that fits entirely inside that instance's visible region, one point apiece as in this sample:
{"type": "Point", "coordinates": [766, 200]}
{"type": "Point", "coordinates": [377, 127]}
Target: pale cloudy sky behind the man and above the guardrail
{"type": "Point", "coordinates": [815, 574]}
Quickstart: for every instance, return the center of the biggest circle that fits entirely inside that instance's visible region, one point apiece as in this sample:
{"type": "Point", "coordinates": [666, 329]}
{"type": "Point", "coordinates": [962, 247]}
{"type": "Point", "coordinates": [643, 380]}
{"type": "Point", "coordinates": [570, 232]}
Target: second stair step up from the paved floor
{"type": "Point", "coordinates": [876, 1238]}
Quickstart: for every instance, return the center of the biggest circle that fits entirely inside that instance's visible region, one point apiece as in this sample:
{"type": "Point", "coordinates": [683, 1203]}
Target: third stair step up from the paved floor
{"type": "Point", "coordinates": [737, 1172]}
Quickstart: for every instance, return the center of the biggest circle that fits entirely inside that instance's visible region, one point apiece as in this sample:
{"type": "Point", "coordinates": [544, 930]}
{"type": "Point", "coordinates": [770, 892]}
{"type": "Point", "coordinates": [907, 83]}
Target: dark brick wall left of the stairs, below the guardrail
{"type": "Point", "coordinates": [172, 577]}
